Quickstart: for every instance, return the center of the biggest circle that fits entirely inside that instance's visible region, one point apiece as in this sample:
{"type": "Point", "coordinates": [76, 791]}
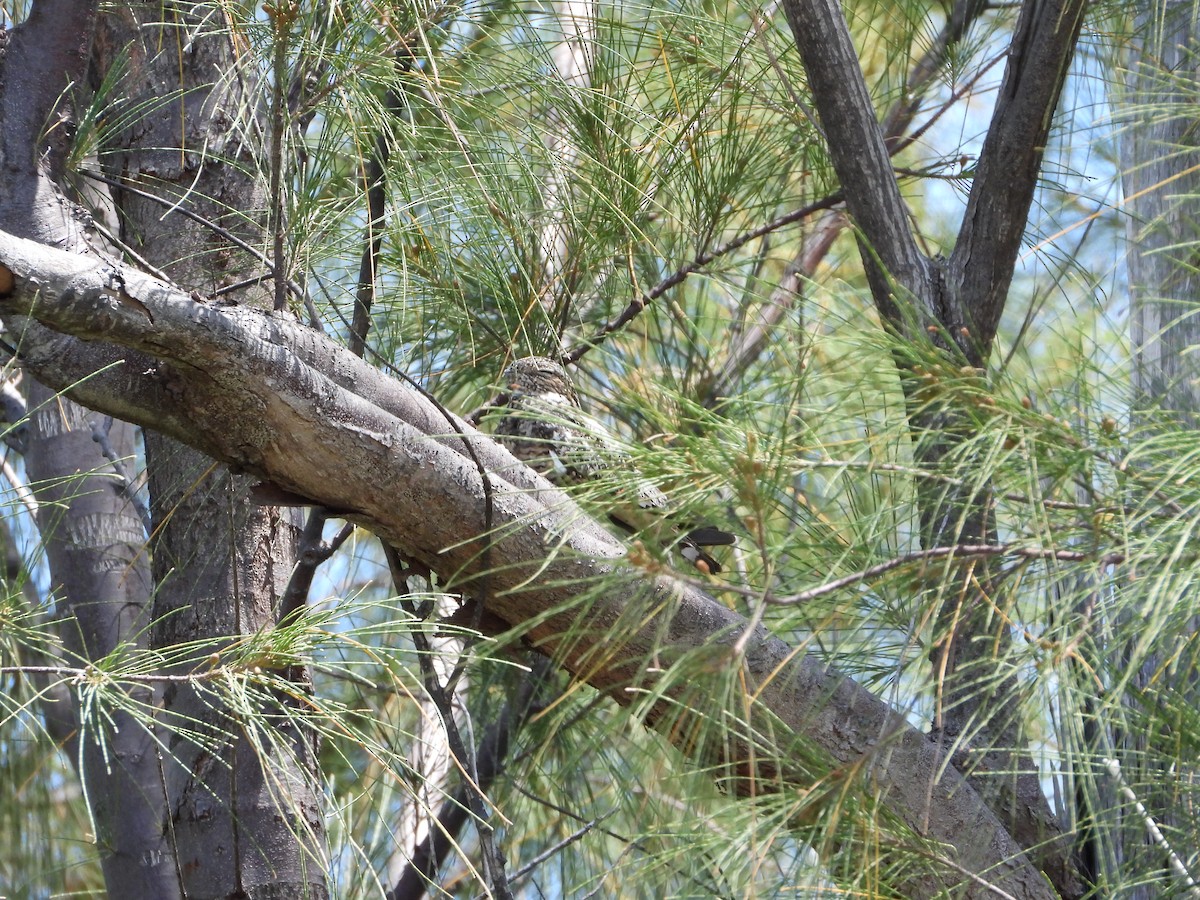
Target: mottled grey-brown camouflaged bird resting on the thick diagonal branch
{"type": "Point", "coordinates": [545, 428]}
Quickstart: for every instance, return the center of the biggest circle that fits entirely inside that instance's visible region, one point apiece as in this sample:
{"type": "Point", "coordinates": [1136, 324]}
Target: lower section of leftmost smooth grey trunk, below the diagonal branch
{"type": "Point", "coordinates": [95, 543]}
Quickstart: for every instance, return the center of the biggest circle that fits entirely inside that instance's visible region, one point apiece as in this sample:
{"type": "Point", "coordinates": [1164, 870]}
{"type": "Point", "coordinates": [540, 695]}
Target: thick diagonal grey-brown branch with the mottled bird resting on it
{"type": "Point", "coordinates": [261, 392]}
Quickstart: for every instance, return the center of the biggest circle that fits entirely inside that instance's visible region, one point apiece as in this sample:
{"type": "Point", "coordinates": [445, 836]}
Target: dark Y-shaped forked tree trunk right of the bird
{"type": "Point", "coordinates": [952, 308]}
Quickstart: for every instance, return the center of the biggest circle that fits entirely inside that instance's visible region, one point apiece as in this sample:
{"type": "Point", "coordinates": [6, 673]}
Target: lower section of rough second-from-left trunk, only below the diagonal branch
{"type": "Point", "coordinates": [245, 812]}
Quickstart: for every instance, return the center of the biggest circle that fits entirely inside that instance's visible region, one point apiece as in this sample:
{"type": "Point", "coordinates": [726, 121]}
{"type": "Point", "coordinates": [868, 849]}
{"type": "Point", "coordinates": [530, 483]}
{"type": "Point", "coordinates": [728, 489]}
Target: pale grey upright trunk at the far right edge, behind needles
{"type": "Point", "coordinates": [1159, 155]}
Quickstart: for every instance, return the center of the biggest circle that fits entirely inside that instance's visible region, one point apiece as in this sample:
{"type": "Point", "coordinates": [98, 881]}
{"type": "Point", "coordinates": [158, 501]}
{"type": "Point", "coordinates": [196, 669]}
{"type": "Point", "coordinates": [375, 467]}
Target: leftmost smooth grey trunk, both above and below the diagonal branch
{"type": "Point", "coordinates": [92, 532]}
